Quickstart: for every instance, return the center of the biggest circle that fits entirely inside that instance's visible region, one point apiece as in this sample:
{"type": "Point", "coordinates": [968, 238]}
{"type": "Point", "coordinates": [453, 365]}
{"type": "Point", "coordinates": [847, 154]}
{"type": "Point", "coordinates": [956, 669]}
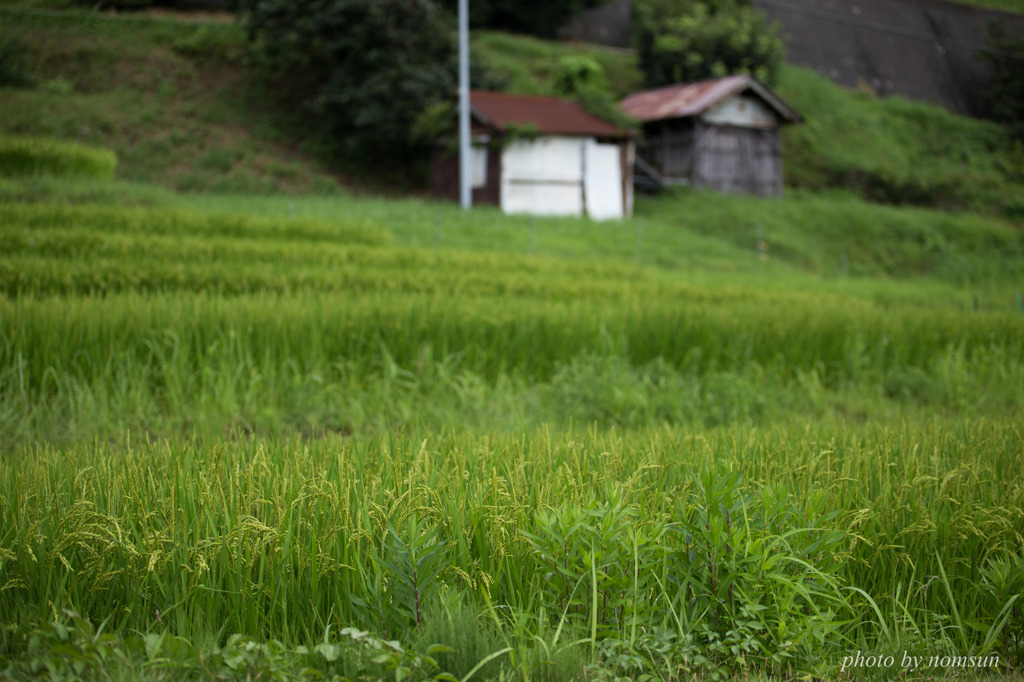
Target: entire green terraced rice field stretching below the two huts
{"type": "Point", "coordinates": [313, 444]}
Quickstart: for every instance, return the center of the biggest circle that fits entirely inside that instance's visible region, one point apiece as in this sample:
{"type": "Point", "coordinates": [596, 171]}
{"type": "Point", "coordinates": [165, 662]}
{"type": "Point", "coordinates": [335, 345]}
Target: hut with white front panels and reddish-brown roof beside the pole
{"type": "Point", "coordinates": [542, 156]}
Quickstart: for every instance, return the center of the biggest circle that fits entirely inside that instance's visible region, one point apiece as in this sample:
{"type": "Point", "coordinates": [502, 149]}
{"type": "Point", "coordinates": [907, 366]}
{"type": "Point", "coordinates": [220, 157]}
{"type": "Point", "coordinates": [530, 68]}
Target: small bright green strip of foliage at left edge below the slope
{"type": "Point", "coordinates": [24, 157]}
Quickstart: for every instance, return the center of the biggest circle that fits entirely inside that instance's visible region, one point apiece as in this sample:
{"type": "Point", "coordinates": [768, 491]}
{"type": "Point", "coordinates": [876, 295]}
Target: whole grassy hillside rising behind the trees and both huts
{"type": "Point", "coordinates": [176, 102]}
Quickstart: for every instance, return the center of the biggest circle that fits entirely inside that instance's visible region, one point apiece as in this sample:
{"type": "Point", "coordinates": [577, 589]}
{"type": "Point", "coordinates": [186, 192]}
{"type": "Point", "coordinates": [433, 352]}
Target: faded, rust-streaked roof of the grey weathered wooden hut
{"type": "Point", "coordinates": [686, 100]}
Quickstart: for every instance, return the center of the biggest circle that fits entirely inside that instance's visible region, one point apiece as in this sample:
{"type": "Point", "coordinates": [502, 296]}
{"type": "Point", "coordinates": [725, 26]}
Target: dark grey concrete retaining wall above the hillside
{"type": "Point", "coordinates": [921, 50]}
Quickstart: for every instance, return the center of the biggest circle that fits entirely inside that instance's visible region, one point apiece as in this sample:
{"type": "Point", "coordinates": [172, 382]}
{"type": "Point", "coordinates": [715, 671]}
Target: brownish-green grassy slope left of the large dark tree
{"type": "Point", "coordinates": [170, 98]}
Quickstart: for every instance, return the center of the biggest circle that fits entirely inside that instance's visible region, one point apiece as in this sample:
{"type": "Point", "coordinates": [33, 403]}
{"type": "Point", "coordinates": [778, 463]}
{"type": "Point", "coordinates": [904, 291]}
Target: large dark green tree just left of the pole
{"type": "Point", "coordinates": [369, 68]}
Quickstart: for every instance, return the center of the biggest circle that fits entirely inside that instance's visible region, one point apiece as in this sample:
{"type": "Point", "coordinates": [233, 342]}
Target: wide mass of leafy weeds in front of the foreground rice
{"type": "Point", "coordinates": [734, 579]}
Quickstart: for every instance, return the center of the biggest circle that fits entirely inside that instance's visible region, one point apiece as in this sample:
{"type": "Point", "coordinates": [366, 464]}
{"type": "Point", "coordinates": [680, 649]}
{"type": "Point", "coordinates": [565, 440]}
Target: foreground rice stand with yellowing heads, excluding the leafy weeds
{"type": "Point", "coordinates": [278, 539]}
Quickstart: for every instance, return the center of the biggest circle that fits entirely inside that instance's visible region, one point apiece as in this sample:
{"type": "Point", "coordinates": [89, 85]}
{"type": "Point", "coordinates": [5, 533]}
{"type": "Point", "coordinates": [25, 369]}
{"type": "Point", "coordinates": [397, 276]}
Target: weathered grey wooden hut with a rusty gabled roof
{"type": "Point", "coordinates": [721, 135]}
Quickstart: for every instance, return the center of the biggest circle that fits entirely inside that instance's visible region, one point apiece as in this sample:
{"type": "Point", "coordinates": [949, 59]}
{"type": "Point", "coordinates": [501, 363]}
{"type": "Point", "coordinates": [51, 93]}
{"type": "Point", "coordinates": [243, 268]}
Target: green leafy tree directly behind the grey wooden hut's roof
{"type": "Point", "coordinates": [689, 40]}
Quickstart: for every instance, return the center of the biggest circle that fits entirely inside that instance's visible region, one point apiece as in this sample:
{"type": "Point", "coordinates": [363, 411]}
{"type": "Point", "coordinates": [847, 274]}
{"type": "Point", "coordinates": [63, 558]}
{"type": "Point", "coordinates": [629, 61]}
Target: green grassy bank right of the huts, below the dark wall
{"type": "Point", "coordinates": [900, 152]}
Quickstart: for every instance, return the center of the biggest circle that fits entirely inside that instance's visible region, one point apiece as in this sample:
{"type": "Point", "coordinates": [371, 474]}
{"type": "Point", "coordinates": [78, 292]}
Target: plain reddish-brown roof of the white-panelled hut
{"type": "Point", "coordinates": [550, 115]}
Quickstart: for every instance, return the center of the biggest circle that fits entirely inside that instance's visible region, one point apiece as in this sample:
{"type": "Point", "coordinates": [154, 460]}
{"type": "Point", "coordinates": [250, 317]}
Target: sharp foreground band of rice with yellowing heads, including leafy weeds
{"type": "Point", "coordinates": [185, 537]}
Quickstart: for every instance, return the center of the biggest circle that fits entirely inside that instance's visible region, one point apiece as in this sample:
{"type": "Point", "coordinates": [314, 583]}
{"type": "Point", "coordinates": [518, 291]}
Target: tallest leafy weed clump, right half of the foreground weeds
{"type": "Point", "coordinates": [758, 566]}
